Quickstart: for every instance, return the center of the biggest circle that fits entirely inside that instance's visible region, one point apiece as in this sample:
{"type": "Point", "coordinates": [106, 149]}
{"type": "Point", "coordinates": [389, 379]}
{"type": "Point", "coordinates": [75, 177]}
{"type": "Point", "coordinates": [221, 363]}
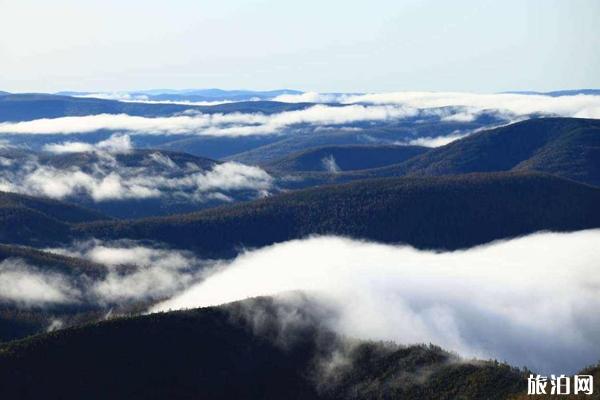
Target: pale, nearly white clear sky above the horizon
{"type": "Point", "coordinates": [325, 46]}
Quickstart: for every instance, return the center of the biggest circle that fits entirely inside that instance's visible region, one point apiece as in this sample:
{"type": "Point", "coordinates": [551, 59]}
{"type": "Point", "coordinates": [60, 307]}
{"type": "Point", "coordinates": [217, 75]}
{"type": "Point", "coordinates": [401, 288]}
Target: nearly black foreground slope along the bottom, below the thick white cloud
{"type": "Point", "coordinates": [218, 353]}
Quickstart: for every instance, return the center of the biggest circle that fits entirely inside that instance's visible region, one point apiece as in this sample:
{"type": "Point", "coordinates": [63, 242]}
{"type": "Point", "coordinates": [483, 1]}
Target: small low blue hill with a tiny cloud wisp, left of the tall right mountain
{"type": "Point", "coordinates": [347, 158]}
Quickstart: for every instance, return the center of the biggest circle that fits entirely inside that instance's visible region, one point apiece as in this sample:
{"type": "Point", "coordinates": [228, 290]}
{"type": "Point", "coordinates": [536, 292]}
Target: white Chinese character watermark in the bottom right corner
{"type": "Point", "coordinates": [560, 385]}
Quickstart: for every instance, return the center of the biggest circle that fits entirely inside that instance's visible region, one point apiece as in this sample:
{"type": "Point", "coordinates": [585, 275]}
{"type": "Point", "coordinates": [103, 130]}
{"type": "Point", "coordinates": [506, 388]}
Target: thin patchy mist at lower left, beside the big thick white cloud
{"type": "Point", "coordinates": [133, 271]}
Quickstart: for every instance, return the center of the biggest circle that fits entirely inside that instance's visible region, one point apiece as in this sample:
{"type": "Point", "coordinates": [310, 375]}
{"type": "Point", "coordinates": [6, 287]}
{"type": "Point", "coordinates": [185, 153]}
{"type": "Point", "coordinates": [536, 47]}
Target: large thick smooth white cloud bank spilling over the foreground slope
{"type": "Point", "coordinates": [531, 301]}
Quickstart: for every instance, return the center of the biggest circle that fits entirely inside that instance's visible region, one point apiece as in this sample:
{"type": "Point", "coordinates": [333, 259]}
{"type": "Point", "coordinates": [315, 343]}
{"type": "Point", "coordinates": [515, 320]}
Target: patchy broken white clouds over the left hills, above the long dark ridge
{"type": "Point", "coordinates": [103, 177]}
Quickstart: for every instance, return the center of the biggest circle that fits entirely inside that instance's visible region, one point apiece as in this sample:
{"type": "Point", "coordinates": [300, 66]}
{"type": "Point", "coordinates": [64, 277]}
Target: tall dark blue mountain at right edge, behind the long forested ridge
{"type": "Point", "coordinates": [567, 147]}
